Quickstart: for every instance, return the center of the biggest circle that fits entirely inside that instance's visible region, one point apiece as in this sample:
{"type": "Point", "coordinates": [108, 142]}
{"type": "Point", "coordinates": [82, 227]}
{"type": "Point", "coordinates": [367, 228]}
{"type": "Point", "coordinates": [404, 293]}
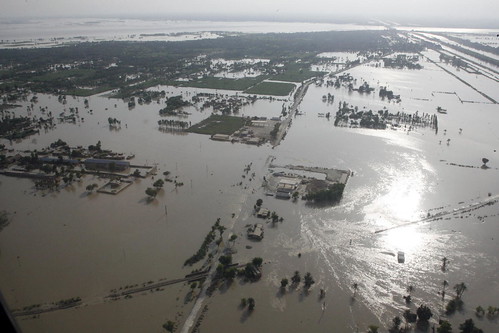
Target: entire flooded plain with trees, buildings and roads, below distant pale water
{"type": "Point", "coordinates": [291, 187]}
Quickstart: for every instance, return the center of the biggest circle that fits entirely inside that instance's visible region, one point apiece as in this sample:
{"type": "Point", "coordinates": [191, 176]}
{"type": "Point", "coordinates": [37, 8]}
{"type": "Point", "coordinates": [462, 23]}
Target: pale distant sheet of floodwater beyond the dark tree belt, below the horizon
{"type": "Point", "coordinates": [50, 32]}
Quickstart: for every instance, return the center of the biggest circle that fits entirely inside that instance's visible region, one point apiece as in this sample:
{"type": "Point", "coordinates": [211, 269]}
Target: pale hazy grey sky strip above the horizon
{"type": "Point", "coordinates": [454, 10]}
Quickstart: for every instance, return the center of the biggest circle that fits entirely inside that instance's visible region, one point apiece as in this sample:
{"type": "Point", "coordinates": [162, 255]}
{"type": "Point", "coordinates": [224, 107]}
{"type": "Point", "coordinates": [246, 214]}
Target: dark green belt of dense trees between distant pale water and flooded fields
{"type": "Point", "coordinates": [89, 68]}
